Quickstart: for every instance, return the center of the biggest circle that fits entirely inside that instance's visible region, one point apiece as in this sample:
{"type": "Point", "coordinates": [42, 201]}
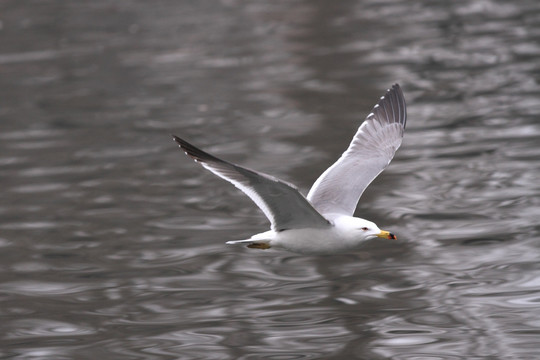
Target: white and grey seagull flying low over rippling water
{"type": "Point", "coordinates": [322, 222]}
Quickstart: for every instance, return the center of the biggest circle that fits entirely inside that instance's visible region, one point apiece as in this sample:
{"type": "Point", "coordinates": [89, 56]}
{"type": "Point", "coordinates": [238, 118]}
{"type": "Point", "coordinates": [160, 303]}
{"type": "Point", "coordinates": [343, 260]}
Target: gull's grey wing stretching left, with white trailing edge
{"type": "Point", "coordinates": [282, 204]}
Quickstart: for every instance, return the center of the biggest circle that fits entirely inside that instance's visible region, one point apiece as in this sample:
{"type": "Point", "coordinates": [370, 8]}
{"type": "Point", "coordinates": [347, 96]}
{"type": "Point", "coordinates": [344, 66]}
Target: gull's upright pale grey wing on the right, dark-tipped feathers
{"type": "Point", "coordinates": [339, 188]}
